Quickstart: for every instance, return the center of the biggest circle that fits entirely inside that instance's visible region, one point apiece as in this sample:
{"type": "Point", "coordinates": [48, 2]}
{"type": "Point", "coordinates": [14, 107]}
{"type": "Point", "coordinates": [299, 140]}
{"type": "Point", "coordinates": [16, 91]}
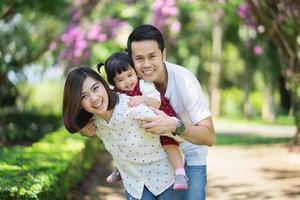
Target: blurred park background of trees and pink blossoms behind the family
{"type": "Point", "coordinates": [245, 53]}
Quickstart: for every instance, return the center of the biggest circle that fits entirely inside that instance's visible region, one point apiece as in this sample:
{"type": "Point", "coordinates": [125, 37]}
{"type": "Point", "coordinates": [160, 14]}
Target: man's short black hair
{"type": "Point", "coordinates": [143, 33]}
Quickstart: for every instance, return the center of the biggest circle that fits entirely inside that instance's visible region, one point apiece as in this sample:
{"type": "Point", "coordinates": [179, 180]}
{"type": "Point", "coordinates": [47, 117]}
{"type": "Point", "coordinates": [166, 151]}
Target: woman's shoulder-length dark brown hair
{"type": "Point", "coordinates": [74, 116]}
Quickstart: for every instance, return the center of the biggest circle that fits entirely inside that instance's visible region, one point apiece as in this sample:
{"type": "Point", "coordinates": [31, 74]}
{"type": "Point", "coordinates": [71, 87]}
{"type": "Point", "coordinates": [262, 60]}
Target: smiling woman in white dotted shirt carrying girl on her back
{"type": "Point", "coordinates": [138, 154]}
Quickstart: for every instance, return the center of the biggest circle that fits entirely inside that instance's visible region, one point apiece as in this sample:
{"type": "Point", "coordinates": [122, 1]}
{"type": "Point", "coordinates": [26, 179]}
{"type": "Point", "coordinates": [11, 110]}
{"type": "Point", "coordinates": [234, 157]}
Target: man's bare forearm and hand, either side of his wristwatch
{"type": "Point", "coordinates": [202, 133]}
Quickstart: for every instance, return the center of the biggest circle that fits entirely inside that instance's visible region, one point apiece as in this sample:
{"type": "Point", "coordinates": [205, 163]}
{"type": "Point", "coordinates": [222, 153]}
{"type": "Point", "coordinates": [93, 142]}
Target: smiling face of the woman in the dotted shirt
{"type": "Point", "coordinates": [94, 98]}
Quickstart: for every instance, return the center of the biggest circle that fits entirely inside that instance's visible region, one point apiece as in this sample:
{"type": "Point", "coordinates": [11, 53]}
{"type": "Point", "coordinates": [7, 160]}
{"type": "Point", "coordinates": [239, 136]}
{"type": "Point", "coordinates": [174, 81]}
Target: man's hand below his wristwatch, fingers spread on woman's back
{"type": "Point", "coordinates": [160, 124]}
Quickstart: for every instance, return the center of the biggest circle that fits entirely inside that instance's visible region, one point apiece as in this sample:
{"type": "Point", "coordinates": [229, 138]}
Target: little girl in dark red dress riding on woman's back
{"type": "Point", "coordinates": [122, 75]}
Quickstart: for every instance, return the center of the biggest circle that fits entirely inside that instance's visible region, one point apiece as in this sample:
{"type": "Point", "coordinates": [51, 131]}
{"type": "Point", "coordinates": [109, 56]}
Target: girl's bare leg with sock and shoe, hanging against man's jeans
{"type": "Point", "coordinates": [176, 159]}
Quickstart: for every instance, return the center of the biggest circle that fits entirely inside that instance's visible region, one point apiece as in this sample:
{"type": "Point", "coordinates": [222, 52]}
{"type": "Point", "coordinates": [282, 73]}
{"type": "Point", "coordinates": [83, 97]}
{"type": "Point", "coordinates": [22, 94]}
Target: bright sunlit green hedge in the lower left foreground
{"type": "Point", "coordinates": [48, 168]}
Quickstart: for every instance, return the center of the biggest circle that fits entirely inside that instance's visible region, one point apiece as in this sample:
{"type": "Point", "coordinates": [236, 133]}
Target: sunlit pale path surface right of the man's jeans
{"type": "Point", "coordinates": [262, 172]}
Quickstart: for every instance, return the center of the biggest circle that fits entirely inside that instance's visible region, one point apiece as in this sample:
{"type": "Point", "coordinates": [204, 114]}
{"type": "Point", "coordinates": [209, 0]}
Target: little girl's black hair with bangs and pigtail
{"type": "Point", "coordinates": [115, 64]}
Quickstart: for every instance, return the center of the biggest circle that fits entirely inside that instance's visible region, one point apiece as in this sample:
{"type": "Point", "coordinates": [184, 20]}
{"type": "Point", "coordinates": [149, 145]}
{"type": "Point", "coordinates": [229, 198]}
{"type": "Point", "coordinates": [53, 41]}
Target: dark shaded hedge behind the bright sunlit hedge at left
{"type": "Point", "coordinates": [17, 127]}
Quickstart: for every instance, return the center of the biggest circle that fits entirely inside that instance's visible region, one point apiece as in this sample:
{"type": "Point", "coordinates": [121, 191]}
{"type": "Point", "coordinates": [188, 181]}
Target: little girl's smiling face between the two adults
{"type": "Point", "coordinates": [127, 80]}
